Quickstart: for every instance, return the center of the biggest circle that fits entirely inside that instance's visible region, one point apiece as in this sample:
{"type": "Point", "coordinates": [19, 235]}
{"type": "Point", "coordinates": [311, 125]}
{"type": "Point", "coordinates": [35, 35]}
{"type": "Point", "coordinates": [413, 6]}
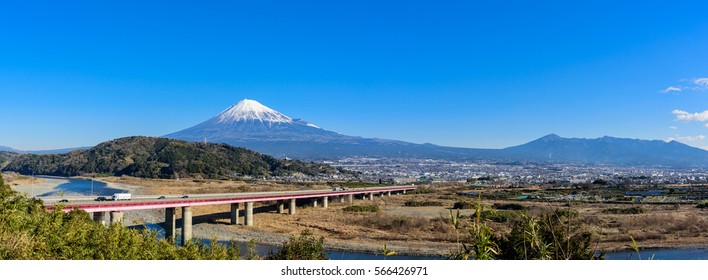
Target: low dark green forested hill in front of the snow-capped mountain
{"type": "Point", "coordinates": [150, 157]}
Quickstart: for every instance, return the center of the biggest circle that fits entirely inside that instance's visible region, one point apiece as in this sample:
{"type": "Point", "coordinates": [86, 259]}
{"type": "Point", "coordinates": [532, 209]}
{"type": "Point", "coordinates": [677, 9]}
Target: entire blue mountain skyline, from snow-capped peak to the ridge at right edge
{"type": "Point", "coordinates": [252, 125]}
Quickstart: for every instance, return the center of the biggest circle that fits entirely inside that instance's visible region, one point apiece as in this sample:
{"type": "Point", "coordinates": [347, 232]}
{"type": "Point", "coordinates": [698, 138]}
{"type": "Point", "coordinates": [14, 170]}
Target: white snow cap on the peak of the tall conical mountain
{"type": "Point", "coordinates": [251, 110]}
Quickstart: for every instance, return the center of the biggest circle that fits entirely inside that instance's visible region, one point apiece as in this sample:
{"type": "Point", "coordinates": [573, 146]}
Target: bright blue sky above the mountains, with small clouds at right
{"type": "Point", "coordinates": [485, 74]}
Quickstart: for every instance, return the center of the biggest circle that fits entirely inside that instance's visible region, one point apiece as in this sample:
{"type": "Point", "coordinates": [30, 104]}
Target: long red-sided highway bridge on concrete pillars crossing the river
{"type": "Point", "coordinates": [102, 210]}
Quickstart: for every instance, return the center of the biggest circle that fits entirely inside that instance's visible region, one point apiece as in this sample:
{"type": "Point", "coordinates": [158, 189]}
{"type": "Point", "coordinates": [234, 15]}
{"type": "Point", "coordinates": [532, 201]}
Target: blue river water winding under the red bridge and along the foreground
{"type": "Point", "coordinates": [70, 186]}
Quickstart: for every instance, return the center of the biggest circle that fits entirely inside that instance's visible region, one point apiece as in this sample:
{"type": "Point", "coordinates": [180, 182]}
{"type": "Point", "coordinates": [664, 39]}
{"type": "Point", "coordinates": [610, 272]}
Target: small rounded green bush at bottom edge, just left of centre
{"type": "Point", "coordinates": [304, 247]}
